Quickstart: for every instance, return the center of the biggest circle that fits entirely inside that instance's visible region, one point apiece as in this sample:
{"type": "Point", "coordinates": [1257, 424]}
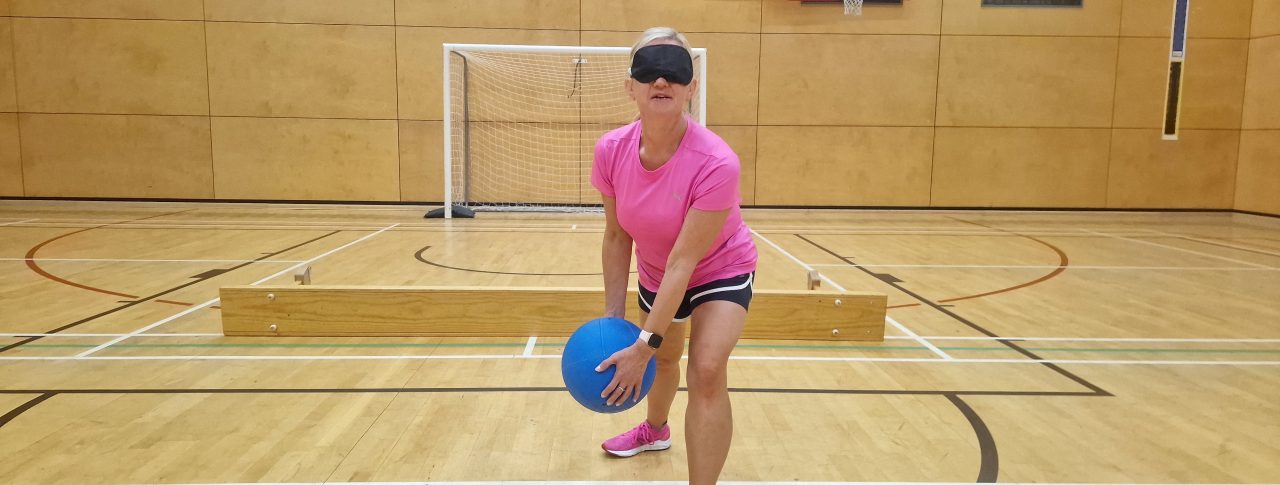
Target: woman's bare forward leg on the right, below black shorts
{"type": "Point", "coordinates": [710, 419]}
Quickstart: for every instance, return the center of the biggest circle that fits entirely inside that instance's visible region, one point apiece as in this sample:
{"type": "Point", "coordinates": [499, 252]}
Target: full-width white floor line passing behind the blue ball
{"type": "Point", "coordinates": [787, 359]}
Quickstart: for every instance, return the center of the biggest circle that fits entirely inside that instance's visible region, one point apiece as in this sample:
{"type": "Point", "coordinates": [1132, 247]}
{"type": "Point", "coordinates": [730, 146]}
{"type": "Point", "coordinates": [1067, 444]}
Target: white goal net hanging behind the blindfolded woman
{"type": "Point", "coordinates": [523, 123]}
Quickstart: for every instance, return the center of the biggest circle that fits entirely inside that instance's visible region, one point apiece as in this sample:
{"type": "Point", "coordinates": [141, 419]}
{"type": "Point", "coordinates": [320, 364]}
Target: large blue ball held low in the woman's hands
{"type": "Point", "coordinates": [589, 346]}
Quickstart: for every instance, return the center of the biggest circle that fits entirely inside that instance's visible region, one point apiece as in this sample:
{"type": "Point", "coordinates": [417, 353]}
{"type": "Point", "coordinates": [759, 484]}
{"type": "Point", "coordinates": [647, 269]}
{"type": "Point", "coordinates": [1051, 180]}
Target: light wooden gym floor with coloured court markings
{"type": "Point", "coordinates": [1048, 347]}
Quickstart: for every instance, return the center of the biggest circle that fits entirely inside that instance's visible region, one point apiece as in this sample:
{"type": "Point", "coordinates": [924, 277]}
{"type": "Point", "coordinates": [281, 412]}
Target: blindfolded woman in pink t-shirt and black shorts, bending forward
{"type": "Point", "coordinates": [671, 187]}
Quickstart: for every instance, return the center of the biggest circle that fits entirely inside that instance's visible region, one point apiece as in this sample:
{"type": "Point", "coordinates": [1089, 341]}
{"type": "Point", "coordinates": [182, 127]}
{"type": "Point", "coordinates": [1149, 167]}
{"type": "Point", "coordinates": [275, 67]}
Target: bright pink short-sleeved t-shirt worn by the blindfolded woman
{"type": "Point", "coordinates": [652, 205]}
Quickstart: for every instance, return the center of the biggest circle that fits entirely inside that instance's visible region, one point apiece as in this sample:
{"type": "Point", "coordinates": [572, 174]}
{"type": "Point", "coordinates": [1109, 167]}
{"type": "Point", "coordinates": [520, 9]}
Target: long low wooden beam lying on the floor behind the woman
{"type": "Point", "coordinates": [513, 312]}
